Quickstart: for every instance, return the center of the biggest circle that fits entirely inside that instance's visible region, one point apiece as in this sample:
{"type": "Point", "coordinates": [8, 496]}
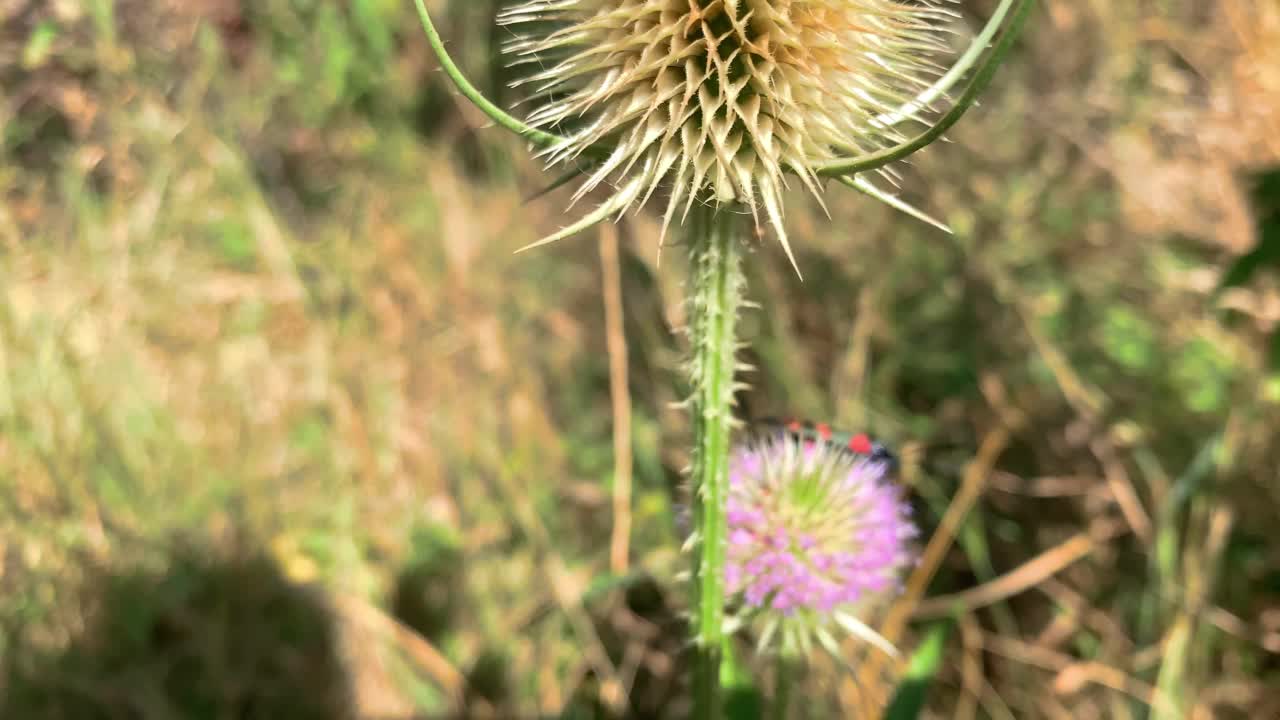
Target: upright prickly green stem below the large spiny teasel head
{"type": "Point", "coordinates": [717, 295]}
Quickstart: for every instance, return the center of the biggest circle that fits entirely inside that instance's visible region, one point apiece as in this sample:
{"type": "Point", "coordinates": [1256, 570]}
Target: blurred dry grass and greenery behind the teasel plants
{"type": "Point", "coordinates": [286, 431]}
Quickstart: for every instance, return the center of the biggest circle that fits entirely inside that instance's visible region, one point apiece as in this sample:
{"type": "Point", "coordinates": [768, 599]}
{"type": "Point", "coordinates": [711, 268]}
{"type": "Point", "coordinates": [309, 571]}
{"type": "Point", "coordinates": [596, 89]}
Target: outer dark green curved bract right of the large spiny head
{"type": "Point", "coordinates": [971, 94]}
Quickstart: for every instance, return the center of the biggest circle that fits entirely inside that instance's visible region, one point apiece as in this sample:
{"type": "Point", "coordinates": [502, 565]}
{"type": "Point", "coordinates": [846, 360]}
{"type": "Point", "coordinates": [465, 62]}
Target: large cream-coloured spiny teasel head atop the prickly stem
{"type": "Point", "coordinates": [719, 101]}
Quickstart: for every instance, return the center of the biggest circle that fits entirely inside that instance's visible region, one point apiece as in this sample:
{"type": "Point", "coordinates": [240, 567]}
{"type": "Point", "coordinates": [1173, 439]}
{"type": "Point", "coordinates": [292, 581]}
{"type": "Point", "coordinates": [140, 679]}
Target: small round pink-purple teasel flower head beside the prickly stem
{"type": "Point", "coordinates": [819, 539]}
